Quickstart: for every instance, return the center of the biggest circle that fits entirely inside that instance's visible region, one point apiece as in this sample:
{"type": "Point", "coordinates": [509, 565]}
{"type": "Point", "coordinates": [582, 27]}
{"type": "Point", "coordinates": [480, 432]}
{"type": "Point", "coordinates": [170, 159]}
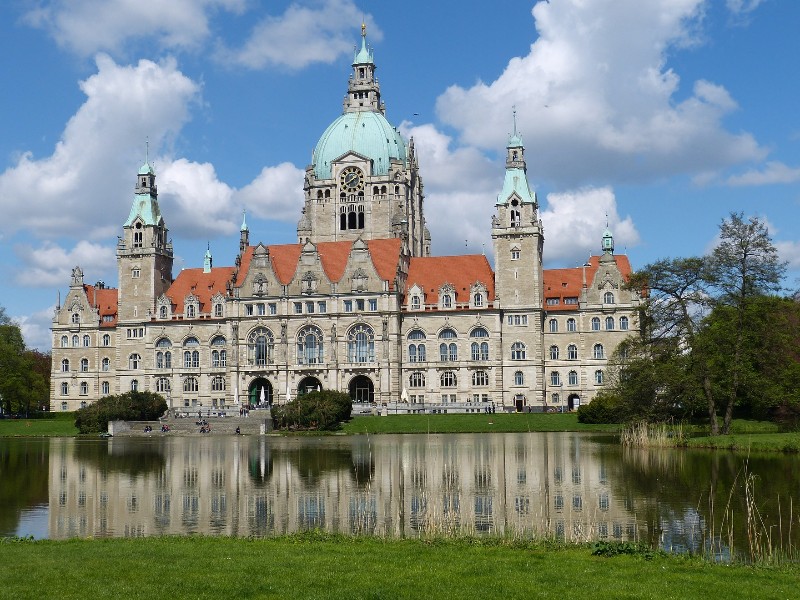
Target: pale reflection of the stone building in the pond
{"type": "Point", "coordinates": [502, 484]}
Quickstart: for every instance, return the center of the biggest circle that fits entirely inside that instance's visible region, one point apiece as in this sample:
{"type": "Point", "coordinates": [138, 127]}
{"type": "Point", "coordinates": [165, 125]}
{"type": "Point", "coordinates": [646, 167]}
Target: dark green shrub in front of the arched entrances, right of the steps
{"type": "Point", "coordinates": [322, 411]}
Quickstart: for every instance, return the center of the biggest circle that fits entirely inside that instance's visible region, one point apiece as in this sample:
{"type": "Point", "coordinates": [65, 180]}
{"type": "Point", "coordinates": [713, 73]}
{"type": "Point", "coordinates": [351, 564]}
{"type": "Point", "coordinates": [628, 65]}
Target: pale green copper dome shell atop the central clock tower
{"type": "Point", "coordinates": [366, 133]}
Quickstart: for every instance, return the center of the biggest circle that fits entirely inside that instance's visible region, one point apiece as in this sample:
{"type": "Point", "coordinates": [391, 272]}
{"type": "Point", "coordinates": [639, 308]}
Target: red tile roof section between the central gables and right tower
{"type": "Point", "coordinates": [430, 273]}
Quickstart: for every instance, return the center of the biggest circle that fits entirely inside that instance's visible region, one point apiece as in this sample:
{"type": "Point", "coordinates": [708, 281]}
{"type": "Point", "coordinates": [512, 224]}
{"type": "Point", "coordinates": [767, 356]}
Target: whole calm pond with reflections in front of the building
{"type": "Point", "coordinates": [573, 486]}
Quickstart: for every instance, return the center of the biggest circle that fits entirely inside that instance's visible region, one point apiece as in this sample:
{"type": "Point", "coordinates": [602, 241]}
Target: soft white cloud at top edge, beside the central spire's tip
{"type": "Point", "coordinates": [300, 36]}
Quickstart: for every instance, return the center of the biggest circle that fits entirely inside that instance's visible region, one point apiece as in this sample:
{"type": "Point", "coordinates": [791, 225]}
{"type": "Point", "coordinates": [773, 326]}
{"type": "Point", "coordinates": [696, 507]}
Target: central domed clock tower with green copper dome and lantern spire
{"type": "Point", "coordinates": [363, 180]}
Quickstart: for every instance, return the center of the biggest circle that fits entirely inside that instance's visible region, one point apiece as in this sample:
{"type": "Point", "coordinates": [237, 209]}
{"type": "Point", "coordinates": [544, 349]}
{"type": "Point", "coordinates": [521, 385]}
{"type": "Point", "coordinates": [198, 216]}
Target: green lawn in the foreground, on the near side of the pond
{"type": "Point", "coordinates": [321, 566]}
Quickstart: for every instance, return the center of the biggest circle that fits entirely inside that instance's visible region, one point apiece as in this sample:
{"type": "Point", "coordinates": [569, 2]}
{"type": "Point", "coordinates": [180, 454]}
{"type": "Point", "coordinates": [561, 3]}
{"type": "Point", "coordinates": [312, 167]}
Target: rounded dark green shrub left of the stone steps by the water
{"type": "Point", "coordinates": [131, 406]}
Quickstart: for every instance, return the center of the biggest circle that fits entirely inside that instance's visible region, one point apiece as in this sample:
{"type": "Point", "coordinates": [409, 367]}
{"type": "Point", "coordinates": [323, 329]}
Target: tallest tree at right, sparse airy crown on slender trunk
{"type": "Point", "coordinates": [743, 267]}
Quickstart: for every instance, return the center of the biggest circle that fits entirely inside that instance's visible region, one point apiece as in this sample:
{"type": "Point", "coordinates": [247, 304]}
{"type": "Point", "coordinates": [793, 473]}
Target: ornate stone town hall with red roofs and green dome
{"type": "Point", "coordinates": [358, 304]}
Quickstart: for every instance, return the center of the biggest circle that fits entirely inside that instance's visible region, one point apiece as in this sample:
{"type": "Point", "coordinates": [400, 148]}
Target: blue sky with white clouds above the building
{"type": "Point", "coordinates": [661, 116]}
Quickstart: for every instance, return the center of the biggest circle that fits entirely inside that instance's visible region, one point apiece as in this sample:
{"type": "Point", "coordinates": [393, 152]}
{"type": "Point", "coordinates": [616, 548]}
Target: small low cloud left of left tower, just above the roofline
{"type": "Point", "coordinates": [51, 265]}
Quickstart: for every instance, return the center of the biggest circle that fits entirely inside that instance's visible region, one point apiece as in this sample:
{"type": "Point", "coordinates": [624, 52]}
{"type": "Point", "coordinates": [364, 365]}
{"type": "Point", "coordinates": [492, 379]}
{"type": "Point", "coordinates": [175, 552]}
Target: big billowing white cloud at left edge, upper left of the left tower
{"type": "Point", "coordinates": [80, 189]}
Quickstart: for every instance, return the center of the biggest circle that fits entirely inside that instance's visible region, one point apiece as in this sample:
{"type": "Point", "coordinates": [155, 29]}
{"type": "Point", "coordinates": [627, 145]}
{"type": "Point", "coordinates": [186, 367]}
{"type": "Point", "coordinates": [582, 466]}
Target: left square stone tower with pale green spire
{"type": "Point", "coordinates": [144, 252]}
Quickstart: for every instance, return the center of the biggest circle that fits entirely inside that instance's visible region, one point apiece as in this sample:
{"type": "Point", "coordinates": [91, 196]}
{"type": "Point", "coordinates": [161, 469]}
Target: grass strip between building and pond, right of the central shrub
{"type": "Point", "coordinates": [471, 423]}
